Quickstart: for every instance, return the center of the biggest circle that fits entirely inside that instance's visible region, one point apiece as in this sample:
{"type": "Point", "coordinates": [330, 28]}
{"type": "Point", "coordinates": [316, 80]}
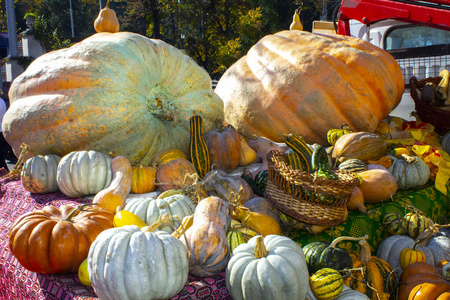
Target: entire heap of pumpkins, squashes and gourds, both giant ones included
{"type": "Point", "coordinates": [176, 190]}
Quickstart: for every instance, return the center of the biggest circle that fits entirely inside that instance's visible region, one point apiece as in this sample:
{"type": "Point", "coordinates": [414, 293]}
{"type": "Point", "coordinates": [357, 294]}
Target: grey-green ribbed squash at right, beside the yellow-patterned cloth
{"type": "Point", "coordinates": [409, 171]}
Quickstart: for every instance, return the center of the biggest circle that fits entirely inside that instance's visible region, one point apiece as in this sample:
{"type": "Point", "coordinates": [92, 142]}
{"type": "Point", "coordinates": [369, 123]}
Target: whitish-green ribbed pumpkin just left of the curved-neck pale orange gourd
{"type": "Point", "coordinates": [82, 173]}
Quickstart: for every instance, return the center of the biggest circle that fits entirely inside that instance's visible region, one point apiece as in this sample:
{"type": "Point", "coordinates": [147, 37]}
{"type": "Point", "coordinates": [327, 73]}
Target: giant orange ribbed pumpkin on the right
{"type": "Point", "coordinates": [296, 81]}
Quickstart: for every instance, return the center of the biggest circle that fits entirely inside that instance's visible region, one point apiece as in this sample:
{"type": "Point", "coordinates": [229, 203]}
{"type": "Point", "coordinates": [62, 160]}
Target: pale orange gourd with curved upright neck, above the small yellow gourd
{"type": "Point", "coordinates": [118, 190]}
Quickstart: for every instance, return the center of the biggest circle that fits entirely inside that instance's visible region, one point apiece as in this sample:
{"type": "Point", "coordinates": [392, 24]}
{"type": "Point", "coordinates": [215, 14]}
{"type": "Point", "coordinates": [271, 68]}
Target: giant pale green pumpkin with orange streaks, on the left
{"type": "Point", "coordinates": [112, 92]}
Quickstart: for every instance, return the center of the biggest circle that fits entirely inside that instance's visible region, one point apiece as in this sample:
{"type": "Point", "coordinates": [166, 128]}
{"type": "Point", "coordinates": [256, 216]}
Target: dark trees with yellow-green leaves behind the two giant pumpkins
{"type": "Point", "coordinates": [216, 33]}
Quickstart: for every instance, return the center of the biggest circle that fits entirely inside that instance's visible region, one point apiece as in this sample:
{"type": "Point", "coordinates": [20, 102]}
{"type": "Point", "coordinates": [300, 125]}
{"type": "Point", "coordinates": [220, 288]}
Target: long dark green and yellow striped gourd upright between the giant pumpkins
{"type": "Point", "coordinates": [198, 151]}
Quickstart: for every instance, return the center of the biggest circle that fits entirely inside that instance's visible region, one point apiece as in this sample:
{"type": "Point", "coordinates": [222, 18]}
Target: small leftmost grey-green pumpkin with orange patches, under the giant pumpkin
{"type": "Point", "coordinates": [39, 174]}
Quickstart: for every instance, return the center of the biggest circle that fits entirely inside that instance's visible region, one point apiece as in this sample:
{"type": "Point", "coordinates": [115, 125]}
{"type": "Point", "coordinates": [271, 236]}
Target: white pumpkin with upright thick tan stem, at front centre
{"type": "Point", "coordinates": [273, 267]}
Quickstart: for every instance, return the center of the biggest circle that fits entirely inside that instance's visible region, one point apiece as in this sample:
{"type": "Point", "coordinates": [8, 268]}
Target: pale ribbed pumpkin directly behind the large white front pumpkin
{"type": "Point", "coordinates": [149, 209]}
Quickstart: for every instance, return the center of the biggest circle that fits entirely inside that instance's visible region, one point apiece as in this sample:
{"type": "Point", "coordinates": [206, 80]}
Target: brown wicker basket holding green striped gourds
{"type": "Point", "coordinates": [317, 201]}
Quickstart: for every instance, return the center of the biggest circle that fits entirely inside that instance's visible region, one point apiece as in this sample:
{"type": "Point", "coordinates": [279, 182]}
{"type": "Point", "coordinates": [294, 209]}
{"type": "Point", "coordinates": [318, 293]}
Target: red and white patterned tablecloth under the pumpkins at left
{"type": "Point", "coordinates": [18, 283]}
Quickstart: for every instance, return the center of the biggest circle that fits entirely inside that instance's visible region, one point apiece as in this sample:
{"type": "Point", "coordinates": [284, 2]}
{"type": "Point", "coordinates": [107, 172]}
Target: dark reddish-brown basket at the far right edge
{"type": "Point", "coordinates": [439, 117]}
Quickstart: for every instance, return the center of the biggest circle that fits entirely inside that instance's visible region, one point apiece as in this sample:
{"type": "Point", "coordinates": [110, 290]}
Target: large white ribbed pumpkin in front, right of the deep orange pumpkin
{"type": "Point", "coordinates": [126, 263]}
